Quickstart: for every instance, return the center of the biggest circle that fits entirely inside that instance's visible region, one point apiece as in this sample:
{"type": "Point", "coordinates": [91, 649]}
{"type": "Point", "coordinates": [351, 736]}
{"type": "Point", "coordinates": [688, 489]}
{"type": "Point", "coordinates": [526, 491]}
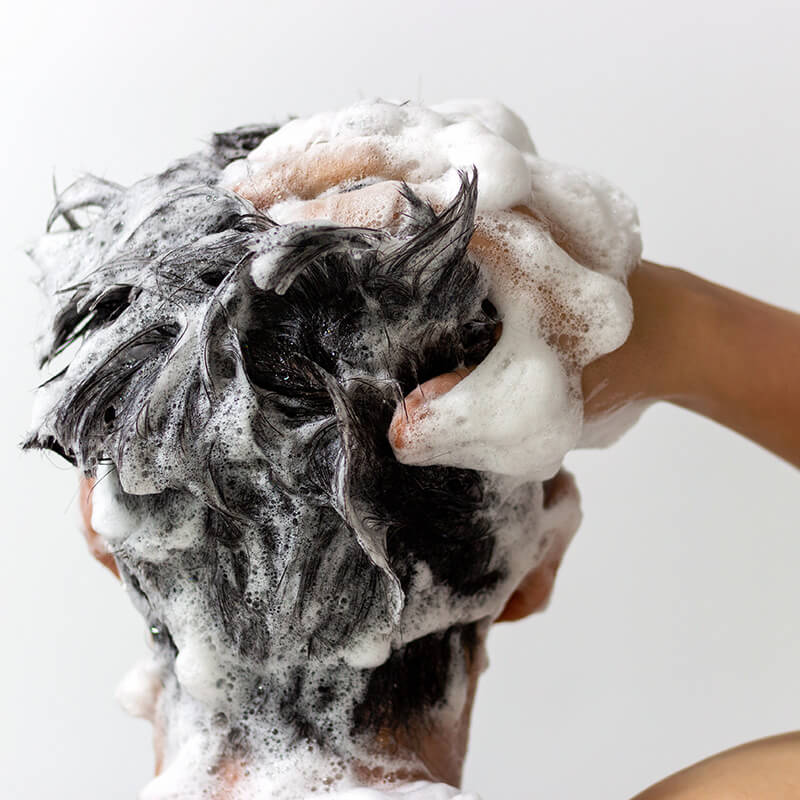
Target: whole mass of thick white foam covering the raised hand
{"type": "Point", "coordinates": [556, 275]}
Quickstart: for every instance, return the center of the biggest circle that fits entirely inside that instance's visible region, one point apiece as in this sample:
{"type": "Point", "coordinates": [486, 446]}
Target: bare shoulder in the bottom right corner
{"type": "Point", "coordinates": [767, 769]}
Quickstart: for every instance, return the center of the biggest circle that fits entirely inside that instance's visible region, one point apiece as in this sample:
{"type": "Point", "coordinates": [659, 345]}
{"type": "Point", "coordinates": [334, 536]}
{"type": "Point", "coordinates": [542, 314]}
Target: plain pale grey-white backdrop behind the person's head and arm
{"type": "Point", "coordinates": [672, 632]}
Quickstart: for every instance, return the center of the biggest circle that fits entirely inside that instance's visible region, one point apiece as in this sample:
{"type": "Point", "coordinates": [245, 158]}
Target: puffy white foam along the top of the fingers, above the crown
{"type": "Point", "coordinates": [428, 146]}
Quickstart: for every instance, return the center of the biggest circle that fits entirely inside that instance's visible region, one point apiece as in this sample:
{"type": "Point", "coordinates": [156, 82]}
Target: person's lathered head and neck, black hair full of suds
{"type": "Point", "coordinates": [317, 609]}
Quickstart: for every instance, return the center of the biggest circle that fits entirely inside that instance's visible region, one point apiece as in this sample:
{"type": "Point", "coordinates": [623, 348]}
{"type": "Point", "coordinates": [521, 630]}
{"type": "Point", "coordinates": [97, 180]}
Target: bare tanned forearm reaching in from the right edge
{"type": "Point", "coordinates": [709, 349]}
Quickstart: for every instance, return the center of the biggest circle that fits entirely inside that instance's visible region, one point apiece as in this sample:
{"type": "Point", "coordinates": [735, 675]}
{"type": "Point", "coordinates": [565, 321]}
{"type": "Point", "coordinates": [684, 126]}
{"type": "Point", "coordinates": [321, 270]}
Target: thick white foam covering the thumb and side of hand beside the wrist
{"type": "Point", "coordinates": [521, 410]}
